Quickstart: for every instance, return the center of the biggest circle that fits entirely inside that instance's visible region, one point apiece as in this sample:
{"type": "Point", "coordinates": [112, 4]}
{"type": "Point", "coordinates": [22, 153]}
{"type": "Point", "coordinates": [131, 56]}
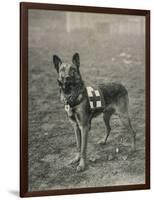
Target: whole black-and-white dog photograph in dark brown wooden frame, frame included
{"type": "Point", "coordinates": [85, 99]}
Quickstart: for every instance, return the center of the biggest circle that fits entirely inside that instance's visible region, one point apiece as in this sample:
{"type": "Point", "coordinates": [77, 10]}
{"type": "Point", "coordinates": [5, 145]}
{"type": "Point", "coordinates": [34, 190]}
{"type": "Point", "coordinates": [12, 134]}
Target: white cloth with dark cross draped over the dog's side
{"type": "Point", "coordinates": [96, 98]}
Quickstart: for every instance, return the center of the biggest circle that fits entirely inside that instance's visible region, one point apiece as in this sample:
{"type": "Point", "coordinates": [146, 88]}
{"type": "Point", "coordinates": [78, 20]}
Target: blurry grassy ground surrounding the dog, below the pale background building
{"type": "Point", "coordinates": [51, 137]}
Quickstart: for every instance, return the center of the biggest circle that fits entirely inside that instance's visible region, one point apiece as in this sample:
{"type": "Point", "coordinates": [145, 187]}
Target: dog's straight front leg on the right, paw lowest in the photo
{"type": "Point", "coordinates": [84, 138]}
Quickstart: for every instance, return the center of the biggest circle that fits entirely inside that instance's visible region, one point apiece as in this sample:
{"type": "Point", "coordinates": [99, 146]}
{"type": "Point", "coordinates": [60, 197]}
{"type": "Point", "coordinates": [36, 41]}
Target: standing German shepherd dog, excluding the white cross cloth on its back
{"type": "Point", "coordinates": [74, 96]}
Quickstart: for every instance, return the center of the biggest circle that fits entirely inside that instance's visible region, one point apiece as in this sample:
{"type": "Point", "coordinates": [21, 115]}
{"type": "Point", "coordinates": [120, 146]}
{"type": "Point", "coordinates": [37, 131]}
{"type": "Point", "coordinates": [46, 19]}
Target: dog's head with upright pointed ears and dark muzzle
{"type": "Point", "coordinates": [68, 73]}
